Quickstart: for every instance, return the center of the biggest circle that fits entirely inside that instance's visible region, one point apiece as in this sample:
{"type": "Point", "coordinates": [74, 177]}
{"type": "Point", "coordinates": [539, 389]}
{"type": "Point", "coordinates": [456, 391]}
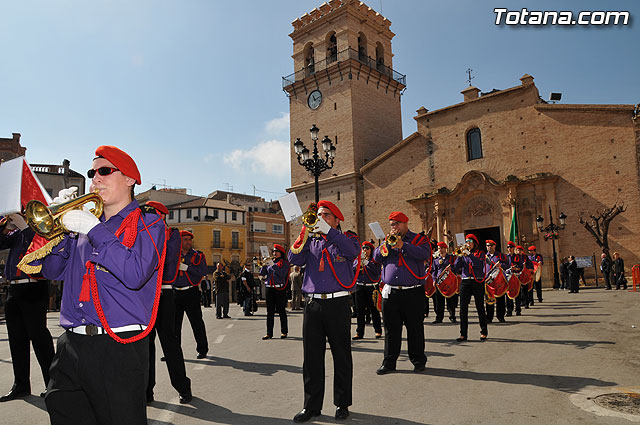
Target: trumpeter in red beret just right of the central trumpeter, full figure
{"type": "Point", "coordinates": [403, 294]}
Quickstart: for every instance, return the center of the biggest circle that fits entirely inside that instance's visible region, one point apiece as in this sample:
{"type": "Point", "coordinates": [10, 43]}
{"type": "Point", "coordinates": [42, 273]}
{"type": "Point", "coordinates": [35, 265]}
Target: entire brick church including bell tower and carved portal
{"type": "Point", "coordinates": [466, 164]}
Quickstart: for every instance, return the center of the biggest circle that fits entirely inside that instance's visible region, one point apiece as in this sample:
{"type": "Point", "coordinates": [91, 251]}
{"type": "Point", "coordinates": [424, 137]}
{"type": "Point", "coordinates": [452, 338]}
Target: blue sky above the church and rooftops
{"type": "Point", "coordinates": [192, 89]}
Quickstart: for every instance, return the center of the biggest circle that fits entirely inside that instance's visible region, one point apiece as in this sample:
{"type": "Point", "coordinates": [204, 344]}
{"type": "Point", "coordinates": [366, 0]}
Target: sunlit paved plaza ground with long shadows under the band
{"type": "Point", "coordinates": [544, 367]}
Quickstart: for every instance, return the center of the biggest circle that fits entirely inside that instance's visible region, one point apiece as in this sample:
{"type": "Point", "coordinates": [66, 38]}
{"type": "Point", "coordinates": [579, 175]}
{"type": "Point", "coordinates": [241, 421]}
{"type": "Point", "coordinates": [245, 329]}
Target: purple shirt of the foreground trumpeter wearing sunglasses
{"type": "Point", "coordinates": [126, 277]}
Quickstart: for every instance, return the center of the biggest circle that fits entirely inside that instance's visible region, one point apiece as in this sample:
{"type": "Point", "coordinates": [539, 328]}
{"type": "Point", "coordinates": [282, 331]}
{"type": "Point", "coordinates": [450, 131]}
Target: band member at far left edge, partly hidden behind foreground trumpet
{"type": "Point", "coordinates": [25, 310]}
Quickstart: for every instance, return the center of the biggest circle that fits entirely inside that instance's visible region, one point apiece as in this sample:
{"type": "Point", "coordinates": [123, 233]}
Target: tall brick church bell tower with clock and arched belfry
{"type": "Point", "coordinates": [343, 83]}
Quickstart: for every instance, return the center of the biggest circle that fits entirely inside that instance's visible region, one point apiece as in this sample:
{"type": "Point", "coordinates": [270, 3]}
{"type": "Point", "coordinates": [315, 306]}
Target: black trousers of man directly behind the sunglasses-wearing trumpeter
{"type": "Point", "coordinates": [166, 329]}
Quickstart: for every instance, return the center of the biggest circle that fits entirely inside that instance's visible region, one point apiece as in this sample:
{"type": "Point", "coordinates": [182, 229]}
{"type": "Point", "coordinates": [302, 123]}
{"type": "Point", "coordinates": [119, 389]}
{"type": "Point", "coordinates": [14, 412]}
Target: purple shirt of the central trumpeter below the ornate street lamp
{"type": "Point", "coordinates": [339, 248]}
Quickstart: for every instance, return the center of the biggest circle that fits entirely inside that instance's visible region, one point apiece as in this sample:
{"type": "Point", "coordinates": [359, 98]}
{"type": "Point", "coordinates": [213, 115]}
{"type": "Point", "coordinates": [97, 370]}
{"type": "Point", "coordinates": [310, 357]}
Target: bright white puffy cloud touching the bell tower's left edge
{"type": "Point", "coordinates": [270, 158]}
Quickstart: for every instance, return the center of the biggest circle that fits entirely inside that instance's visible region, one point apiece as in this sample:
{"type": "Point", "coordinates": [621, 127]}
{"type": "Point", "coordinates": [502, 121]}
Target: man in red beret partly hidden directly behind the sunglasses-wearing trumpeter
{"type": "Point", "coordinates": [166, 319]}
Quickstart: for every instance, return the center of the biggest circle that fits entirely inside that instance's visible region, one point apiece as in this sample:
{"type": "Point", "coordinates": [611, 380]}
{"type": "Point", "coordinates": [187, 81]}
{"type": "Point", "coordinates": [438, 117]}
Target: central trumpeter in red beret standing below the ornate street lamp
{"type": "Point", "coordinates": [328, 280]}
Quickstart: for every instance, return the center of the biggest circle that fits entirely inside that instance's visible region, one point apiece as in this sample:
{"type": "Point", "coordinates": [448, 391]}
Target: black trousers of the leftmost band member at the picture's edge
{"type": "Point", "coordinates": [26, 318]}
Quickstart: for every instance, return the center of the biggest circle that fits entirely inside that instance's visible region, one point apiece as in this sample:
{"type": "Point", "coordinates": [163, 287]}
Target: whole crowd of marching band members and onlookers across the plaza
{"type": "Point", "coordinates": [128, 276]}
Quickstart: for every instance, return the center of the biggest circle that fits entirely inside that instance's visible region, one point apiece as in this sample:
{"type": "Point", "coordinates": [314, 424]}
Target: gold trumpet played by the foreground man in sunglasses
{"type": "Point", "coordinates": [47, 220]}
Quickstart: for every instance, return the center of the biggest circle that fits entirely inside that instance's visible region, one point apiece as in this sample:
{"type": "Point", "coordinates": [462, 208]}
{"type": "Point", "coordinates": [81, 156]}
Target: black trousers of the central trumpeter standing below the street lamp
{"type": "Point", "coordinates": [324, 320]}
